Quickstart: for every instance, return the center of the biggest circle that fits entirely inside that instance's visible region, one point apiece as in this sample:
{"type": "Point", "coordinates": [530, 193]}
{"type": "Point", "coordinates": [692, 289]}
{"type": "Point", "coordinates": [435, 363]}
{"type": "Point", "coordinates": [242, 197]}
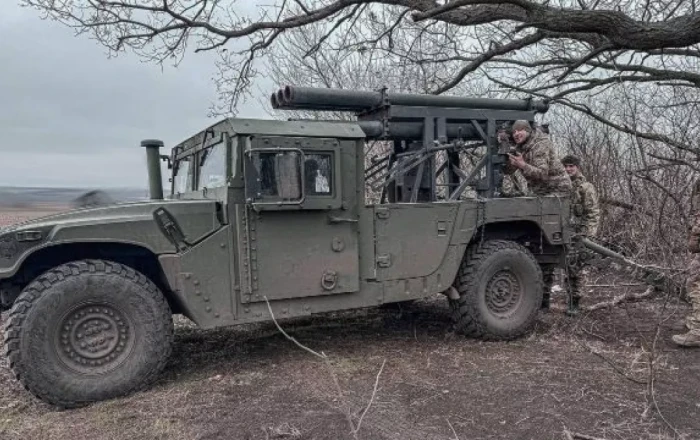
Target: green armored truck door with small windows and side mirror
{"type": "Point", "coordinates": [300, 231]}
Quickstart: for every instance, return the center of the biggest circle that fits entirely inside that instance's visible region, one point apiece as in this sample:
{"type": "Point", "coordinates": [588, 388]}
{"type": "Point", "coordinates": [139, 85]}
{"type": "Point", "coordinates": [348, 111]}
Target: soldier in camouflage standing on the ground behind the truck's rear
{"type": "Point", "coordinates": [585, 218]}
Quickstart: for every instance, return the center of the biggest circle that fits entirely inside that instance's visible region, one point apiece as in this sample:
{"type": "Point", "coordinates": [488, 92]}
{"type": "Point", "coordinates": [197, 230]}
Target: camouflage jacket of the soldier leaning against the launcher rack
{"type": "Point", "coordinates": [543, 171]}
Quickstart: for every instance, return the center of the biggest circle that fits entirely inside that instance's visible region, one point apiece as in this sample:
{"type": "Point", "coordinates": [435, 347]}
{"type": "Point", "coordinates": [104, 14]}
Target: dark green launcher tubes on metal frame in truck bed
{"type": "Point", "coordinates": [426, 134]}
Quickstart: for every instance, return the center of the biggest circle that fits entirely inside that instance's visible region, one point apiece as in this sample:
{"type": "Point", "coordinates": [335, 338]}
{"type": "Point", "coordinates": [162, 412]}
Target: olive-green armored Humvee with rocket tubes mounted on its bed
{"type": "Point", "coordinates": [265, 213]}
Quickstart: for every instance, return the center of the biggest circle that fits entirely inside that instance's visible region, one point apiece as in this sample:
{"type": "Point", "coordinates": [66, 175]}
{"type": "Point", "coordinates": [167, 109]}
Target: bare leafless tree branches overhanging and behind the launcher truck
{"type": "Point", "coordinates": [629, 66]}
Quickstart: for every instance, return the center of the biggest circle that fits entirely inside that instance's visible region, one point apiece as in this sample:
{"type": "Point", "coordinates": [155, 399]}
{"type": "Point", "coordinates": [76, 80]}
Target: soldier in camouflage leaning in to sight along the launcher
{"type": "Point", "coordinates": [537, 161]}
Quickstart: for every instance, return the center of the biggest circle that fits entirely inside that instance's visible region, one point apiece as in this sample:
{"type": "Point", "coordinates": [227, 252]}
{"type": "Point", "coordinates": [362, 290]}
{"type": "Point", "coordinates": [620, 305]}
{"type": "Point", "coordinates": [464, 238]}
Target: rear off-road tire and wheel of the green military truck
{"type": "Point", "coordinates": [500, 291]}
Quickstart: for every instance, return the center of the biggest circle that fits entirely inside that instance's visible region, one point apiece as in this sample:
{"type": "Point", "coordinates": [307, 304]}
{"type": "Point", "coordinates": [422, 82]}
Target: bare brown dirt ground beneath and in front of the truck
{"type": "Point", "coordinates": [587, 375]}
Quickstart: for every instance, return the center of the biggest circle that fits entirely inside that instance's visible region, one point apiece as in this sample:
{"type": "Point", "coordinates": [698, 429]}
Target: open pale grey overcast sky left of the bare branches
{"type": "Point", "coordinates": [69, 116]}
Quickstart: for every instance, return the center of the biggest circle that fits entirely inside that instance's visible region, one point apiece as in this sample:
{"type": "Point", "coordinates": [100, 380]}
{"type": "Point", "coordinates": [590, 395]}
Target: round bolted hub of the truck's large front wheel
{"type": "Point", "coordinates": [94, 339]}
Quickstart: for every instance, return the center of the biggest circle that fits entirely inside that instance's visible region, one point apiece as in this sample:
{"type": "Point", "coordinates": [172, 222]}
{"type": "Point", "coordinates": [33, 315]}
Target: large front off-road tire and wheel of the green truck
{"type": "Point", "coordinates": [88, 331]}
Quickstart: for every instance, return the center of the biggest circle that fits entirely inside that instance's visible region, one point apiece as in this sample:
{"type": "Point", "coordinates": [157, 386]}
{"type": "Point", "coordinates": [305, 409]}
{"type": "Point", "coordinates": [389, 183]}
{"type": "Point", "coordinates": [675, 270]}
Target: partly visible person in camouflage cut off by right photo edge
{"type": "Point", "coordinates": [692, 283]}
